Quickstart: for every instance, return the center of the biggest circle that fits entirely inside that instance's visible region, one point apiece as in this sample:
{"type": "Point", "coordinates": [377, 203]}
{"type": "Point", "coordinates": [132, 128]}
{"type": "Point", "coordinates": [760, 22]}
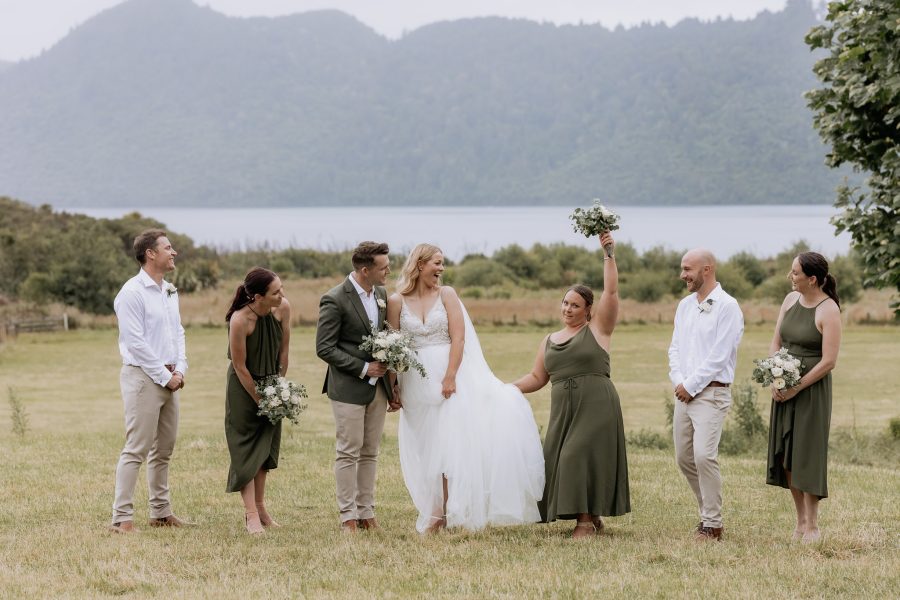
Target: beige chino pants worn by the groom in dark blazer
{"type": "Point", "coordinates": [358, 439]}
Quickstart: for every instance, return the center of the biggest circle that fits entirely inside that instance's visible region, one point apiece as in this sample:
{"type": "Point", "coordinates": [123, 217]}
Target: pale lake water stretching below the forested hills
{"type": "Point", "coordinates": [726, 230]}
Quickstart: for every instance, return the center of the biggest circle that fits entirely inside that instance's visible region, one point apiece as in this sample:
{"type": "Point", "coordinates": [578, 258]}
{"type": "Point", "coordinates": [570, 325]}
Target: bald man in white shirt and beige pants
{"type": "Point", "coordinates": [708, 328]}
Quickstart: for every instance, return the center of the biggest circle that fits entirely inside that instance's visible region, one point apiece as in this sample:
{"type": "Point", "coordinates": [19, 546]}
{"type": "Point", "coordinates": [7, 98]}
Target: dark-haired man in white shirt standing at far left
{"type": "Point", "coordinates": [151, 342]}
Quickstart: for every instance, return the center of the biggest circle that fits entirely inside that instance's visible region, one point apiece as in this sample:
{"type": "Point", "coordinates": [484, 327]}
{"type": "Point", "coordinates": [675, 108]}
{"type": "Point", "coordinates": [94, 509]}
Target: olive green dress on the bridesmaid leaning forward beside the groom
{"type": "Point", "coordinates": [253, 441]}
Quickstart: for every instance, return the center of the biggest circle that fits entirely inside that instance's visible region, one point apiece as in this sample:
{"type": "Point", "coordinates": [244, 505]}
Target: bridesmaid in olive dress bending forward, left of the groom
{"type": "Point", "coordinates": [258, 339]}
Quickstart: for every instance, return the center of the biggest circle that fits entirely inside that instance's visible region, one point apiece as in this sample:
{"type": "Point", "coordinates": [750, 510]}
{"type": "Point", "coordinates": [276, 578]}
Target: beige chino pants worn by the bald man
{"type": "Point", "coordinates": [697, 428]}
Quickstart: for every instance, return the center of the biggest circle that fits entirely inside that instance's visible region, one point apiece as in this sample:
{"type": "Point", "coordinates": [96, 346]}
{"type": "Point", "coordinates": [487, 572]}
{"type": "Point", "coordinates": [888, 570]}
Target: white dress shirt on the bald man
{"type": "Point", "coordinates": [705, 340]}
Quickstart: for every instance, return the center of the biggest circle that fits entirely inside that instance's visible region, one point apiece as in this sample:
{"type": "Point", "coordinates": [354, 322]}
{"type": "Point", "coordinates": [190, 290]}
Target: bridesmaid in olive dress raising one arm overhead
{"type": "Point", "coordinates": [584, 450]}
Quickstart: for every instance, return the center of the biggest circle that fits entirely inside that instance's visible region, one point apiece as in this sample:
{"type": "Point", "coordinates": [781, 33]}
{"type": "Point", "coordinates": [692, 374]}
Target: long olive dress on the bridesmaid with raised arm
{"type": "Point", "coordinates": [584, 451]}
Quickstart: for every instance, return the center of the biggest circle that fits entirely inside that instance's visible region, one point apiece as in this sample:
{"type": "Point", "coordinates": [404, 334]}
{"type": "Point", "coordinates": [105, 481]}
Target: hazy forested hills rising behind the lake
{"type": "Point", "coordinates": [165, 102]}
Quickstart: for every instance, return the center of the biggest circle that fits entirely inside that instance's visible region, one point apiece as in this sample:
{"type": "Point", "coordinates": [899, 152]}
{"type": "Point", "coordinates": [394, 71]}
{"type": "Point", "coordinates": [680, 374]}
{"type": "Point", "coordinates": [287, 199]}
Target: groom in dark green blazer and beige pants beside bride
{"type": "Point", "coordinates": [355, 383]}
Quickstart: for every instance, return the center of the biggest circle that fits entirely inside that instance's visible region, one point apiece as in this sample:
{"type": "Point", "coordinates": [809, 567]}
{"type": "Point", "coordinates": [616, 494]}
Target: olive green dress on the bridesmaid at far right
{"type": "Point", "coordinates": [798, 428]}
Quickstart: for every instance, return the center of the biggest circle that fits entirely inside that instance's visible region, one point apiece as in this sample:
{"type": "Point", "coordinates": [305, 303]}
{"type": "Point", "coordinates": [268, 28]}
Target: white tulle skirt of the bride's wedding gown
{"type": "Point", "coordinates": [483, 439]}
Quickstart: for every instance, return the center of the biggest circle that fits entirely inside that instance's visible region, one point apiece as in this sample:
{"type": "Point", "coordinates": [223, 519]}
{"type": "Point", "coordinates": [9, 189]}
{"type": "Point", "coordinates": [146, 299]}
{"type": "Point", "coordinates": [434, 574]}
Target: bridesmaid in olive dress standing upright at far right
{"type": "Point", "coordinates": [809, 326]}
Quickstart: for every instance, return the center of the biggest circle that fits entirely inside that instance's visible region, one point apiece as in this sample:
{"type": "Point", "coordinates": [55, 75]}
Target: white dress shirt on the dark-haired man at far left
{"type": "Point", "coordinates": [150, 331]}
